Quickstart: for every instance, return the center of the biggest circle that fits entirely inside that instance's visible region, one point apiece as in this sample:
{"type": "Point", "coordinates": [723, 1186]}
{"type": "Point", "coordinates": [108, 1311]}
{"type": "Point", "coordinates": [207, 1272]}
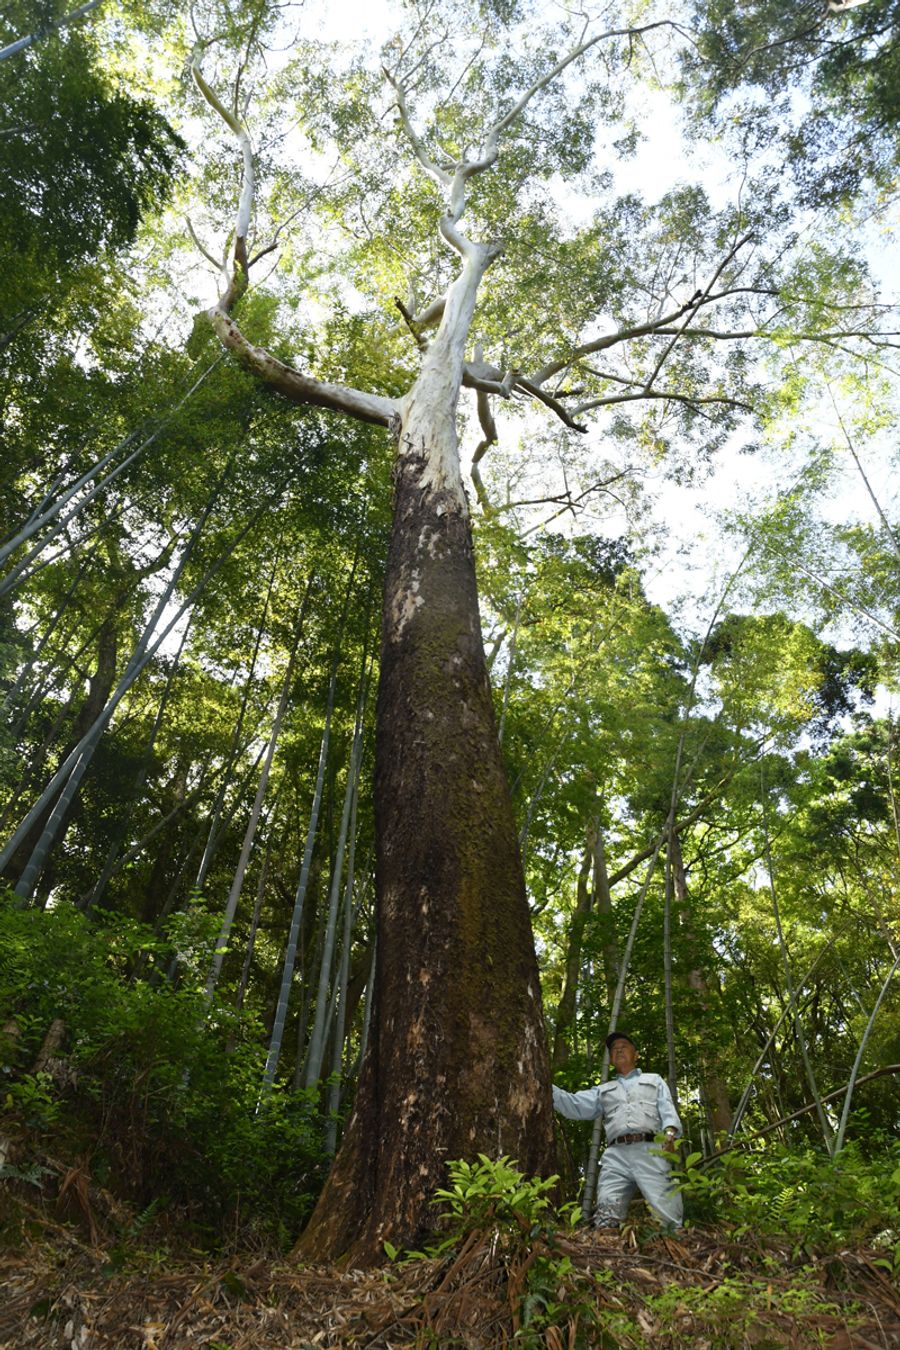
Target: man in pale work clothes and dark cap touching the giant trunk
{"type": "Point", "coordinates": [635, 1108]}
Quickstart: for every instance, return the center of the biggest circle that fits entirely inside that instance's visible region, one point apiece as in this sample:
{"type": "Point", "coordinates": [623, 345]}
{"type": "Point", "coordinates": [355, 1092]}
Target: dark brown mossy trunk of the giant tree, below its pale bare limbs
{"type": "Point", "coordinates": [457, 1059]}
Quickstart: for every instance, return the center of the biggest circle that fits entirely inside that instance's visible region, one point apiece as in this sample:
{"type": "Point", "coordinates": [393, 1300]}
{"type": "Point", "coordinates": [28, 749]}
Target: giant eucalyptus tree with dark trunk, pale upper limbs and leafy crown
{"type": "Point", "coordinates": [613, 321]}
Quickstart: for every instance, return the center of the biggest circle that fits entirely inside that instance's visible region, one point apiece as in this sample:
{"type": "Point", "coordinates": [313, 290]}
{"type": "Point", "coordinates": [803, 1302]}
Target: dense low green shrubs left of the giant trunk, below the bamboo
{"type": "Point", "coordinates": [157, 1086]}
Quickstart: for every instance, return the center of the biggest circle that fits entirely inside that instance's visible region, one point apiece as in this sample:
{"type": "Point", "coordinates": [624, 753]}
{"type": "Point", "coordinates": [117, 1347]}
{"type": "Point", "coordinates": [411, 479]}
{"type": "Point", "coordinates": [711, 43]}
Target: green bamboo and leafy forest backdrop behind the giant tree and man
{"type": "Point", "coordinates": [694, 701]}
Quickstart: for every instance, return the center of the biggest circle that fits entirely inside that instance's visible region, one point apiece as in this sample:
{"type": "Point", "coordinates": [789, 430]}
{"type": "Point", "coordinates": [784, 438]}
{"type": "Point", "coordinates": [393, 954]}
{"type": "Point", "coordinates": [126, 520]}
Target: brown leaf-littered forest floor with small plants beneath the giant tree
{"type": "Point", "coordinates": [64, 1286]}
